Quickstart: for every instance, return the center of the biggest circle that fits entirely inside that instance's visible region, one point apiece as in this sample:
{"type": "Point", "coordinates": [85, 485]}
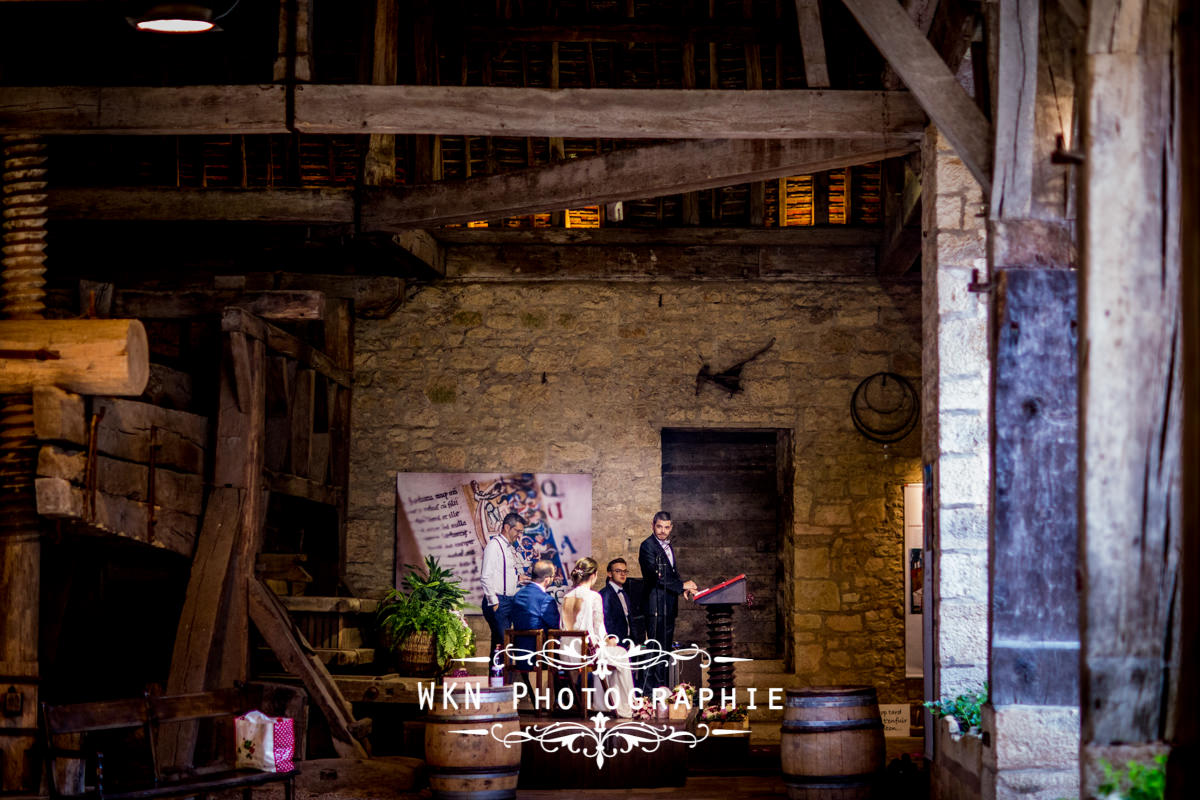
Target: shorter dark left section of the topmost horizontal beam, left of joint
{"type": "Point", "coordinates": [145, 111]}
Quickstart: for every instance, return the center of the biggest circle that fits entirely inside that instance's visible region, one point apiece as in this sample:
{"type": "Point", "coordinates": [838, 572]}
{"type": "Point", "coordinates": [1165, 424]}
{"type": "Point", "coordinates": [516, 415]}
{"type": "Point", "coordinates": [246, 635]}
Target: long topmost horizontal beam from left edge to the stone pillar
{"type": "Point", "coordinates": [477, 111]}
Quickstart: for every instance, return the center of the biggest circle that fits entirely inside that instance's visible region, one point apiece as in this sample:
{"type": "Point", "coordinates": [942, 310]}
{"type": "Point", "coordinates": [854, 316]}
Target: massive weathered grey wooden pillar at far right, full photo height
{"type": "Point", "coordinates": [1131, 384]}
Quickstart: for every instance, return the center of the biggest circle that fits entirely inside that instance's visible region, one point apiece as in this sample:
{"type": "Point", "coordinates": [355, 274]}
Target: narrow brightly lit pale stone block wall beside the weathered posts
{"type": "Point", "coordinates": [957, 380]}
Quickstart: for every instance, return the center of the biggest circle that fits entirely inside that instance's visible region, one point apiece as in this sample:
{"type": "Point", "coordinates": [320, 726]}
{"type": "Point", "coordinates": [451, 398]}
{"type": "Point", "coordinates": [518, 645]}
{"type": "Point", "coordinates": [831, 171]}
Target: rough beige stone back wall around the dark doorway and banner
{"type": "Point", "coordinates": [584, 377]}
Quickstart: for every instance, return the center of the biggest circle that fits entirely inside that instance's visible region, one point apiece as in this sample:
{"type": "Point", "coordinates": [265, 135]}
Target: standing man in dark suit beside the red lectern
{"type": "Point", "coordinates": [662, 587]}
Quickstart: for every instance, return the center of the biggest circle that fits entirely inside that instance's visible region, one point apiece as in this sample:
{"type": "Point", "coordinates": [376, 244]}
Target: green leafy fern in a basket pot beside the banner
{"type": "Point", "coordinates": [424, 621]}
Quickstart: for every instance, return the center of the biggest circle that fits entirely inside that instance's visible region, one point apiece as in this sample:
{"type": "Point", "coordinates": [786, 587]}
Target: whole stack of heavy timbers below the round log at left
{"type": "Point", "coordinates": [128, 468]}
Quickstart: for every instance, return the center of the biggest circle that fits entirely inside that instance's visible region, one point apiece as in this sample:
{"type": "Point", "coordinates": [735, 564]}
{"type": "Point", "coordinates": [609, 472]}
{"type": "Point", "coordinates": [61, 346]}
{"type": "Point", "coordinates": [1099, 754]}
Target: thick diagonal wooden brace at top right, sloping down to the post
{"type": "Point", "coordinates": [932, 82]}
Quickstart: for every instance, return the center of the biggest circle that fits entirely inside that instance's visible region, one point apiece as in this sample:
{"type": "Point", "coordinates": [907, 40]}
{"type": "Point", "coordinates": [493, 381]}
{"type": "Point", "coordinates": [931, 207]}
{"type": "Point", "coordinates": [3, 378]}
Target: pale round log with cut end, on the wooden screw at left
{"type": "Point", "coordinates": [92, 357]}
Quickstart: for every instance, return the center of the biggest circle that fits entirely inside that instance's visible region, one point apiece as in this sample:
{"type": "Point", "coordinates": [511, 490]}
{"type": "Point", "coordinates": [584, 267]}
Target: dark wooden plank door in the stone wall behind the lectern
{"type": "Point", "coordinates": [723, 491]}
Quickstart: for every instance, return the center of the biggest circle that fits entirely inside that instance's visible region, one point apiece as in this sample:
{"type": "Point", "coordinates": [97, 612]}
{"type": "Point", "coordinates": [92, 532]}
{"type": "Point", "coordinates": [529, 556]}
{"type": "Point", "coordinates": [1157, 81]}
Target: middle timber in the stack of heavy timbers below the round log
{"type": "Point", "coordinates": [177, 491]}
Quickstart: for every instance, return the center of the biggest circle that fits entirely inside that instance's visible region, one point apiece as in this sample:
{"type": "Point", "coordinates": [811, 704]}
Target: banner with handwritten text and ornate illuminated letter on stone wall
{"type": "Point", "coordinates": [451, 516]}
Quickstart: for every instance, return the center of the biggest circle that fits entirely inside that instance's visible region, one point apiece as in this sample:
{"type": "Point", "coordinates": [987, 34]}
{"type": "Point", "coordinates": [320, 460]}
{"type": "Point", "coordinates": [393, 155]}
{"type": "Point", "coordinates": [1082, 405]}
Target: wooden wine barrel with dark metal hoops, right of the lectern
{"type": "Point", "coordinates": [832, 744]}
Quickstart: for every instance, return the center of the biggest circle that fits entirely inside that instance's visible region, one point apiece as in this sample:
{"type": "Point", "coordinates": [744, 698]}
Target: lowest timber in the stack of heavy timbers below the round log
{"type": "Point", "coordinates": [154, 526]}
